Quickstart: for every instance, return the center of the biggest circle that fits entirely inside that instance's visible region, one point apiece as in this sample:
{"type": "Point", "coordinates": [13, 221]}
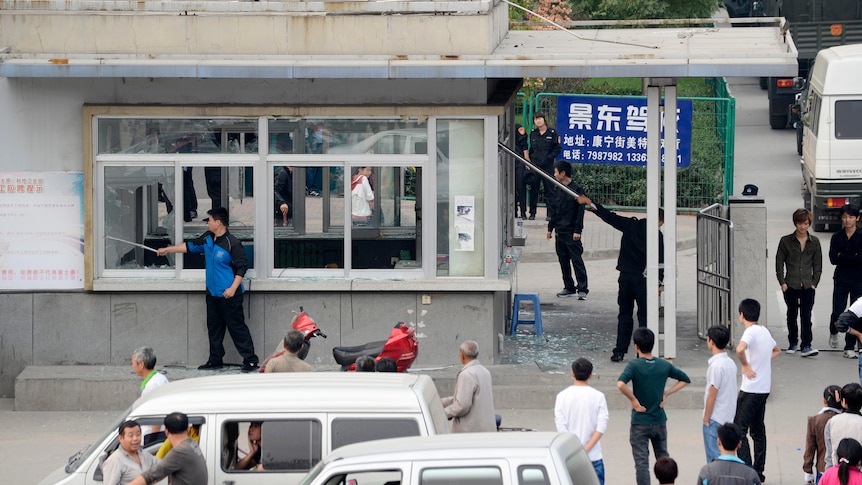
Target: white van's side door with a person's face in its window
{"type": "Point", "coordinates": [265, 449]}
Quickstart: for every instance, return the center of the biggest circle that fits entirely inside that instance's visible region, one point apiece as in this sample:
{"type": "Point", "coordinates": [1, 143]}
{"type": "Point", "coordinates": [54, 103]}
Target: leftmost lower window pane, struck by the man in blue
{"type": "Point", "coordinates": [139, 209]}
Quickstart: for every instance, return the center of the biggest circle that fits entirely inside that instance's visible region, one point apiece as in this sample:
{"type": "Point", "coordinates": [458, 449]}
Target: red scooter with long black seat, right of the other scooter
{"type": "Point", "coordinates": [401, 346]}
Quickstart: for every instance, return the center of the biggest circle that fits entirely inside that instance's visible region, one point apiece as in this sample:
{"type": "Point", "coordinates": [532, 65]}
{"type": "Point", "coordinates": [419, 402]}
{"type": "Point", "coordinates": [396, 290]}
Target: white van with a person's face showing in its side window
{"type": "Point", "coordinates": [304, 416]}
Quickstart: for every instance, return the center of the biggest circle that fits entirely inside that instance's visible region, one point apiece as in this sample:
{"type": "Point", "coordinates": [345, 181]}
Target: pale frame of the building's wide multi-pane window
{"type": "Point", "coordinates": [263, 265]}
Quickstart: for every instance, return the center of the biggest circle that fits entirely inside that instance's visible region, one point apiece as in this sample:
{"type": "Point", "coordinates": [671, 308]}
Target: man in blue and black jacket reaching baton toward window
{"type": "Point", "coordinates": [226, 264]}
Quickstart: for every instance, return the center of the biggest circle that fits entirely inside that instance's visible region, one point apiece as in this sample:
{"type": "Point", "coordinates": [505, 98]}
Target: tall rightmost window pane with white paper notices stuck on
{"type": "Point", "coordinates": [460, 198]}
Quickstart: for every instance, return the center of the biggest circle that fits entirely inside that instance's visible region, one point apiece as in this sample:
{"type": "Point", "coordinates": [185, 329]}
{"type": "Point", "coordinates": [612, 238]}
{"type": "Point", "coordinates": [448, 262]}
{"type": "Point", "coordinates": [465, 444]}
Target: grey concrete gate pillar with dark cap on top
{"type": "Point", "coordinates": [749, 276]}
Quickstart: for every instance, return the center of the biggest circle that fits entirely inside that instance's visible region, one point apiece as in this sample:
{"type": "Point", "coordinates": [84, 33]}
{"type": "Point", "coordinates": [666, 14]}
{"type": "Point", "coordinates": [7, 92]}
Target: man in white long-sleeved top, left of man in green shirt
{"type": "Point", "coordinates": [583, 410]}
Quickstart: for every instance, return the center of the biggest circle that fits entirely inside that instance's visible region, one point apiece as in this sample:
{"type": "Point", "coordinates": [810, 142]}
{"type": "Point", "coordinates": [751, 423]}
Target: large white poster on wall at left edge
{"type": "Point", "coordinates": [41, 230]}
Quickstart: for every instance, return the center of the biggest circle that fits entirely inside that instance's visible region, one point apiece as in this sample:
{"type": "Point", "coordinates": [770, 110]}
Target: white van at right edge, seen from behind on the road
{"type": "Point", "coordinates": [832, 135]}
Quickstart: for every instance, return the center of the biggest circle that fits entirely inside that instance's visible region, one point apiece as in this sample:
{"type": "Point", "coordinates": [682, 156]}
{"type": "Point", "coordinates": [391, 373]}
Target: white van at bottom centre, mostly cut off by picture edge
{"type": "Point", "coordinates": [465, 459]}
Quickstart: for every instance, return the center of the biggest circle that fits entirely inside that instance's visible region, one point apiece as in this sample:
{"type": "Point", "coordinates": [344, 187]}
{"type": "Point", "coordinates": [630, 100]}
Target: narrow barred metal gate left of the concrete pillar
{"type": "Point", "coordinates": [714, 269]}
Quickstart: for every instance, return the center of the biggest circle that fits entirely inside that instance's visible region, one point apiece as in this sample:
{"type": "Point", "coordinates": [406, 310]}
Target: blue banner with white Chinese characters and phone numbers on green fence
{"type": "Point", "coordinates": [613, 130]}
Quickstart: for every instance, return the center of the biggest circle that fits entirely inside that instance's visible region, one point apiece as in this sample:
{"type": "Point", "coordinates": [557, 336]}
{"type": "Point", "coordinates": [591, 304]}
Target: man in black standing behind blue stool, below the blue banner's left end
{"type": "Point", "coordinates": [568, 221]}
